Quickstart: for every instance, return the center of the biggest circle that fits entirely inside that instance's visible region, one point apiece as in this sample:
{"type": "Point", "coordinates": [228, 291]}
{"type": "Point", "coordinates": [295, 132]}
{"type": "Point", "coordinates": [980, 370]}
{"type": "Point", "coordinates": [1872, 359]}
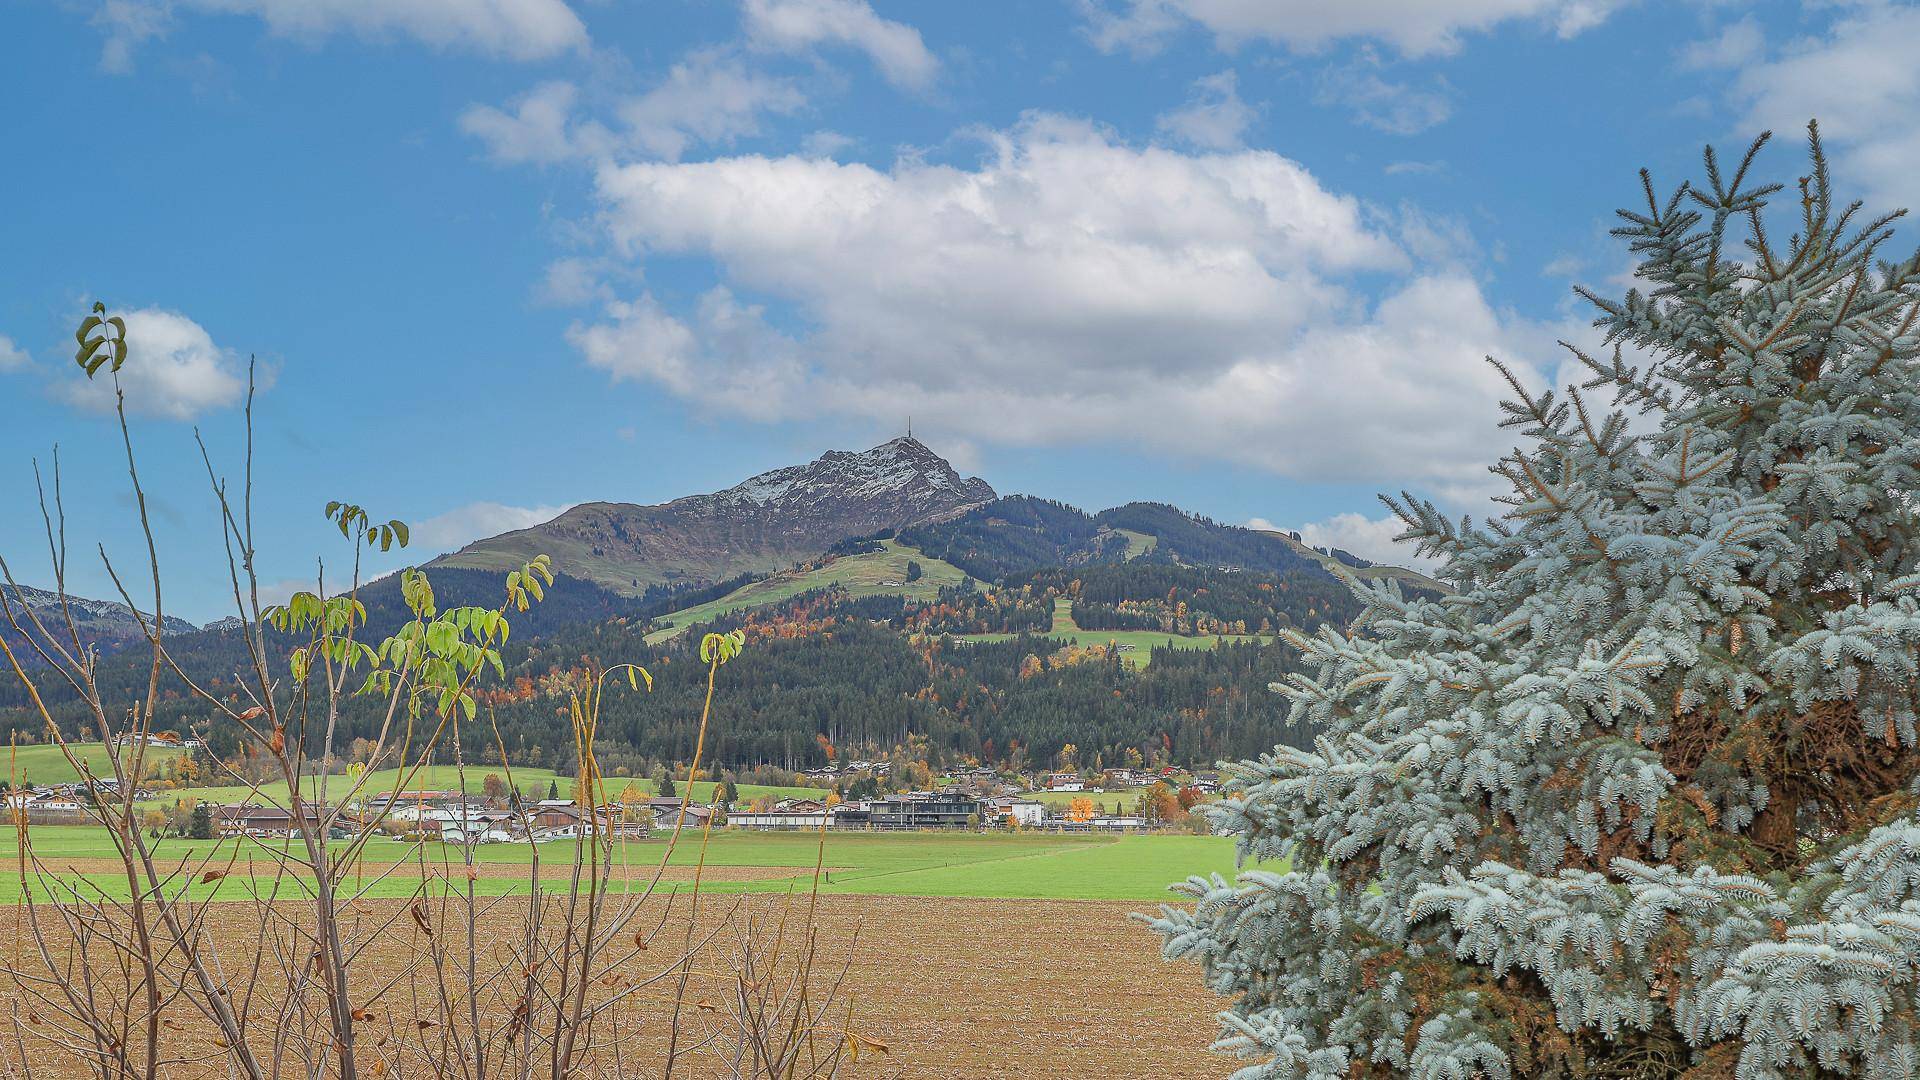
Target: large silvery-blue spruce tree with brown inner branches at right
{"type": "Point", "coordinates": [1641, 797]}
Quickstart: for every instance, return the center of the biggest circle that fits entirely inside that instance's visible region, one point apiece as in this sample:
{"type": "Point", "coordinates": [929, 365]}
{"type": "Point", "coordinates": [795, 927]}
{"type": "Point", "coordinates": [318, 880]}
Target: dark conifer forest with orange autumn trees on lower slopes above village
{"type": "Point", "coordinates": [875, 677]}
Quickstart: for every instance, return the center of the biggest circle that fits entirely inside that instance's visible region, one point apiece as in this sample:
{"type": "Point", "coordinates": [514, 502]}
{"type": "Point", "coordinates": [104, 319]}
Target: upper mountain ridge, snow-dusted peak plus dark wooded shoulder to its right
{"type": "Point", "coordinates": [898, 489]}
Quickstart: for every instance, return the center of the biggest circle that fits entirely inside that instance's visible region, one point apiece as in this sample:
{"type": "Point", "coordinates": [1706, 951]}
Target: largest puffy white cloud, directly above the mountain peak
{"type": "Point", "coordinates": [1068, 287]}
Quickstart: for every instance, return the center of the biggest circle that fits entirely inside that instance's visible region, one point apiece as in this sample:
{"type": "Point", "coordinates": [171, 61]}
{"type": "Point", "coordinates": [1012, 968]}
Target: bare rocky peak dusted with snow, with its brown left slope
{"type": "Point", "coordinates": [761, 526]}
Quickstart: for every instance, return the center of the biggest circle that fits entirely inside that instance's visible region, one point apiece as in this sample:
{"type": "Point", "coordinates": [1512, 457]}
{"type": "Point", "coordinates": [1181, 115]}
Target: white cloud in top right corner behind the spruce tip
{"type": "Point", "coordinates": [1861, 84]}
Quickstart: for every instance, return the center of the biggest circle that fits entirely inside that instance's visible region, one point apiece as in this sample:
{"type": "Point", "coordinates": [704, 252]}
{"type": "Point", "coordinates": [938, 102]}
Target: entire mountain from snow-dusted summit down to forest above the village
{"type": "Point", "coordinates": [896, 601]}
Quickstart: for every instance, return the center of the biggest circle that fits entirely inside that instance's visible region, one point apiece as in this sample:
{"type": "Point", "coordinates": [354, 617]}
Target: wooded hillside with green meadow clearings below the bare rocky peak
{"type": "Point", "coordinates": [984, 643]}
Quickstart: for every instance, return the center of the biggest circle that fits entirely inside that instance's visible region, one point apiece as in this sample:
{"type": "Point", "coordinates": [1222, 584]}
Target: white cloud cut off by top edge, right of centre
{"type": "Point", "coordinates": [1414, 28]}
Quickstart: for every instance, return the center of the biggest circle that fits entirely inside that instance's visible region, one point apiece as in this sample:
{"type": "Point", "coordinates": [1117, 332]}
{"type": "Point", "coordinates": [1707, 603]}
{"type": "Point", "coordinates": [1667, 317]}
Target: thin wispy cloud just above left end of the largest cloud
{"type": "Point", "coordinates": [706, 99]}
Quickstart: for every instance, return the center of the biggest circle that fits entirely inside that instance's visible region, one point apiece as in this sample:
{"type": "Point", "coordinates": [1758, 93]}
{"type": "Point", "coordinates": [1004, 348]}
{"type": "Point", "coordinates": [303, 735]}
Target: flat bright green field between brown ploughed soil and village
{"type": "Point", "coordinates": [923, 864]}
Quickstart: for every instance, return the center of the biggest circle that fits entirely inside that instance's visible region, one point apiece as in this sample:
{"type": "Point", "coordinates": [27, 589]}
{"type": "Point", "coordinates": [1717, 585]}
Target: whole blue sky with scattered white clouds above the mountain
{"type": "Point", "coordinates": [502, 257]}
